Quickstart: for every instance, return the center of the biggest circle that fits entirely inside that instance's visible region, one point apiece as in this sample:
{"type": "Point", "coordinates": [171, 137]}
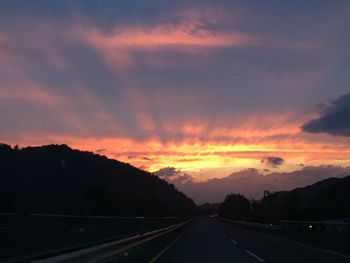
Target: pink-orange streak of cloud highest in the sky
{"type": "Point", "coordinates": [189, 35]}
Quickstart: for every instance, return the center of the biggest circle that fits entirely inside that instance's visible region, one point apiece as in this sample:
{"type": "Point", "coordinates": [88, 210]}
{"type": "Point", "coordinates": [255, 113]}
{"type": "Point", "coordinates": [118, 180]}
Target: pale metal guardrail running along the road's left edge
{"type": "Point", "coordinates": [98, 251]}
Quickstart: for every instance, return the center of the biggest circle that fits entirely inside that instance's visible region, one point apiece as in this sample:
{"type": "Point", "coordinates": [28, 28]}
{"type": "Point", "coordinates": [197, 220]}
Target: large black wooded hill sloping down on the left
{"type": "Point", "coordinates": [57, 179]}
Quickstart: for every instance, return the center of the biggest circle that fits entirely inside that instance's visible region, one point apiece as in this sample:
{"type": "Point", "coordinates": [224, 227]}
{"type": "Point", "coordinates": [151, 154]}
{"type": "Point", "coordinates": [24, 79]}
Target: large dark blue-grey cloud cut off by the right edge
{"type": "Point", "coordinates": [335, 118]}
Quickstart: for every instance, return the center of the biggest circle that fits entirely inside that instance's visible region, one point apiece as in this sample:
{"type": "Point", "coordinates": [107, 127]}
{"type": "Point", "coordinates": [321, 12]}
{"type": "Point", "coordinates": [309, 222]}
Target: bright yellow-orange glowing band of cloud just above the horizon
{"type": "Point", "coordinates": [208, 157]}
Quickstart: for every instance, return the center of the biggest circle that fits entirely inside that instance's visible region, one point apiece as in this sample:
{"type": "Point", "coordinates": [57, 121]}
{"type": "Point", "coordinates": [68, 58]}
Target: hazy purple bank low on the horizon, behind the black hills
{"type": "Point", "coordinates": [252, 182]}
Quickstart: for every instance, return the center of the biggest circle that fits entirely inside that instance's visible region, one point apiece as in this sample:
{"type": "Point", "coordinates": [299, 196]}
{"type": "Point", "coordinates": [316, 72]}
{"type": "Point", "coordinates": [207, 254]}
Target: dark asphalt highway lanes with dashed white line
{"type": "Point", "coordinates": [211, 240]}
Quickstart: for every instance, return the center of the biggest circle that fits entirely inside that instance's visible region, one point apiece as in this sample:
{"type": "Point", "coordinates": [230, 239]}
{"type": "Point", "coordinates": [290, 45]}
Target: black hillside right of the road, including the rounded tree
{"type": "Point", "coordinates": [327, 199]}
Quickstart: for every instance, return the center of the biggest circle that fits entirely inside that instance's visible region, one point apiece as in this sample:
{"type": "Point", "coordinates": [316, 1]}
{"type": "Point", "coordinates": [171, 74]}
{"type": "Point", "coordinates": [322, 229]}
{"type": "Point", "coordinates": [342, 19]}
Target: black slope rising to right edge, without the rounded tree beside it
{"type": "Point", "coordinates": [327, 199]}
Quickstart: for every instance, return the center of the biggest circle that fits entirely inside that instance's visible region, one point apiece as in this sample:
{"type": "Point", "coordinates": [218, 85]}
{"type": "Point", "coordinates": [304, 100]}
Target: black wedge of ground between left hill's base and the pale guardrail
{"type": "Point", "coordinates": [30, 233]}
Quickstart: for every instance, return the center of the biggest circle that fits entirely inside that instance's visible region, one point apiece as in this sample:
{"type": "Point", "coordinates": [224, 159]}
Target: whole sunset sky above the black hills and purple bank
{"type": "Point", "coordinates": [203, 88]}
